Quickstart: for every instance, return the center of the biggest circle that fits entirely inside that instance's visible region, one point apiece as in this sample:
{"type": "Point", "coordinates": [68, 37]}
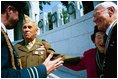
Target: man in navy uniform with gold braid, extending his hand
{"type": "Point", "coordinates": [10, 66]}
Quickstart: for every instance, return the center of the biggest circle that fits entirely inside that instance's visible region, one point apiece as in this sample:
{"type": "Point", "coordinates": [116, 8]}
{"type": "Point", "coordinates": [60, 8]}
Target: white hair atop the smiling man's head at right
{"type": "Point", "coordinates": [107, 4]}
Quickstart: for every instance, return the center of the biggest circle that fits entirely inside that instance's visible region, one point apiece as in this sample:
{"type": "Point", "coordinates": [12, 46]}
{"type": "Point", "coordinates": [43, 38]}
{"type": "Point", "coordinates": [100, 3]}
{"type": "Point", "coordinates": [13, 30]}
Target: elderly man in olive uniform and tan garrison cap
{"type": "Point", "coordinates": [32, 50]}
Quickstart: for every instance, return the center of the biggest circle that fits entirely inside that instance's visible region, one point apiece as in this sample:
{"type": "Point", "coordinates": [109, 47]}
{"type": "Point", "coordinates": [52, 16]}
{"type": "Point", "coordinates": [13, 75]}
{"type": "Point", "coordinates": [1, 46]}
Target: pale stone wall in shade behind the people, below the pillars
{"type": "Point", "coordinates": [72, 38]}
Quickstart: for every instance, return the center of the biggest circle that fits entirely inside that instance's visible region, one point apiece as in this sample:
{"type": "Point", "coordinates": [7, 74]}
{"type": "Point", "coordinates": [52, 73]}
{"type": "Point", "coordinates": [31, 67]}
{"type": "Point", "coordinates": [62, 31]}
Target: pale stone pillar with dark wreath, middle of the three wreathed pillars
{"type": "Point", "coordinates": [57, 17]}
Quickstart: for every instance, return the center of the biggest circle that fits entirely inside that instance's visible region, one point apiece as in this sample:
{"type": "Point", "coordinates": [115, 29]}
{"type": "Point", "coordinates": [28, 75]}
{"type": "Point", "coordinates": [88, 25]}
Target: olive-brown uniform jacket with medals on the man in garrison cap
{"type": "Point", "coordinates": [37, 54]}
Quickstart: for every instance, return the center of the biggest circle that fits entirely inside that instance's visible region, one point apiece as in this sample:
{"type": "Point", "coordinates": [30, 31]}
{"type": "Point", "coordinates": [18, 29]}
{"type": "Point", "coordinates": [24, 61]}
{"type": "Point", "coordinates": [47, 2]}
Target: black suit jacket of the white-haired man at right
{"type": "Point", "coordinates": [110, 64]}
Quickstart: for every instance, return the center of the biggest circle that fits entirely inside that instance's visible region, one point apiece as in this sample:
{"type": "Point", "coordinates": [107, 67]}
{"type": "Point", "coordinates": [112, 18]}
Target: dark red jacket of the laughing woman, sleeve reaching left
{"type": "Point", "coordinates": [88, 62]}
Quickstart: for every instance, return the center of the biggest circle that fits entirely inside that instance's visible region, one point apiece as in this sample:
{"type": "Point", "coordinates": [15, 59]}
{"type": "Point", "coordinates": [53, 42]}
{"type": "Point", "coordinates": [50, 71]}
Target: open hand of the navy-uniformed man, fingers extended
{"type": "Point", "coordinates": [54, 64]}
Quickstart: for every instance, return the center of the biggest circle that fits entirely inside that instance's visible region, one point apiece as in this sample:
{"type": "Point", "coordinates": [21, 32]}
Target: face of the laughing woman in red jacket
{"type": "Point", "coordinates": [99, 37]}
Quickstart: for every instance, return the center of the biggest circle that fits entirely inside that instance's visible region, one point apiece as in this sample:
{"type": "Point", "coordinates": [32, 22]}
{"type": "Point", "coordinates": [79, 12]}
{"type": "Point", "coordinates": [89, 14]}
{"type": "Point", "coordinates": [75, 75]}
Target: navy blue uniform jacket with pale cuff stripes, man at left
{"type": "Point", "coordinates": [6, 67]}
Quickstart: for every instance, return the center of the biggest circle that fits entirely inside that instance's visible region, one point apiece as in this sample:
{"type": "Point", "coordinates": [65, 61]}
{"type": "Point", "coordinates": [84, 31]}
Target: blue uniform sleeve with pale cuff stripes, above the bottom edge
{"type": "Point", "coordinates": [31, 72]}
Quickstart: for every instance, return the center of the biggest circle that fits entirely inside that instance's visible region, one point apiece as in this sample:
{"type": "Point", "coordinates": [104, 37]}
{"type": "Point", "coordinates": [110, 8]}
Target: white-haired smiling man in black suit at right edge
{"type": "Point", "coordinates": [105, 17]}
